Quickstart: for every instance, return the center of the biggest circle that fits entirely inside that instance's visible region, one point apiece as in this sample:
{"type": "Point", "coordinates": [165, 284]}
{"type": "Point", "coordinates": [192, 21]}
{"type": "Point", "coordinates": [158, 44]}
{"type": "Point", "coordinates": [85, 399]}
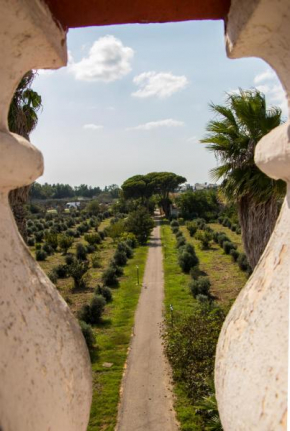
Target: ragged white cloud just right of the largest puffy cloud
{"type": "Point", "coordinates": [161, 84]}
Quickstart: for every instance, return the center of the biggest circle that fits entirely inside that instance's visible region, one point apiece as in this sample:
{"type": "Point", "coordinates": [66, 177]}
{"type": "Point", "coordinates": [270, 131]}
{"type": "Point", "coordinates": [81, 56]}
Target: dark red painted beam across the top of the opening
{"type": "Point", "coordinates": [84, 13]}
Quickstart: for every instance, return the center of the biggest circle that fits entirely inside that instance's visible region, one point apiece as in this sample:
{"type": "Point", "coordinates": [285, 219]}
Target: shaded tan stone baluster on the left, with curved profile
{"type": "Point", "coordinates": [45, 373]}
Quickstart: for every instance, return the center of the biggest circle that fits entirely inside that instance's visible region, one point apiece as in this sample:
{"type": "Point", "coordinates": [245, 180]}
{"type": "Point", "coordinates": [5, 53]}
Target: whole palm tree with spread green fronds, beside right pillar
{"type": "Point", "coordinates": [233, 136]}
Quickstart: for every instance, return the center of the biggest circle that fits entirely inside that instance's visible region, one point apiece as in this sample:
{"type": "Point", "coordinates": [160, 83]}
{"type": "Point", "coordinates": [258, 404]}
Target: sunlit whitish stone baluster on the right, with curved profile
{"type": "Point", "coordinates": [251, 362]}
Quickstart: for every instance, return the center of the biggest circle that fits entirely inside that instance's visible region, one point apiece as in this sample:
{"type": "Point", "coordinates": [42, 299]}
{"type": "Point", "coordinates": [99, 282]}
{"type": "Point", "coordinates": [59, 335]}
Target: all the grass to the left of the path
{"type": "Point", "coordinates": [114, 334]}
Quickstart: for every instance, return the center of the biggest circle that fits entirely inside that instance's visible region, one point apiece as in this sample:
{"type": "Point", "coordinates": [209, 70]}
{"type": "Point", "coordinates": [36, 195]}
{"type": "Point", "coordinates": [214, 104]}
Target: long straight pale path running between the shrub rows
{"type": "Point", "coordinates": [146, 402]}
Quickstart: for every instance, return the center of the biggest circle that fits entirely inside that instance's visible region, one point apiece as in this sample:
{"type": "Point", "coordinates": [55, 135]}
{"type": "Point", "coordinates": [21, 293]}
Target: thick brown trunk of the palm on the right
{"type": "Point", "coordinates": [257, 223]}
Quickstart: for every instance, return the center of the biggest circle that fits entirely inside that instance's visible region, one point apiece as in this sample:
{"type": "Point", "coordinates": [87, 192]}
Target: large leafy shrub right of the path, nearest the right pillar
{"type": "Point", "coordinates": [190, 345]}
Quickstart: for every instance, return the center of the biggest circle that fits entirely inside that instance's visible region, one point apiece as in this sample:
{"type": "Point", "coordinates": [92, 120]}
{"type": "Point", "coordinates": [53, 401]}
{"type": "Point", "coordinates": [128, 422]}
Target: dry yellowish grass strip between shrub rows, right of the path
{"type": "Point", "coordinates": [225, 276]}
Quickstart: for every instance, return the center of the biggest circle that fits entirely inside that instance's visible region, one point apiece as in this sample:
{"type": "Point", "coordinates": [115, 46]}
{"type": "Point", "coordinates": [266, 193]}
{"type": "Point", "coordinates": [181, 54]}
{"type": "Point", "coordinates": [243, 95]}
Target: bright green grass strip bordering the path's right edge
{"type": "Point", "coordinates": [177, 294]}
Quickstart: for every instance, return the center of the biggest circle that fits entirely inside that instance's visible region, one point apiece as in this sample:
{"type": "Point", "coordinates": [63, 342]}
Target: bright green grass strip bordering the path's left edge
{"type": "Point", "coordinates": [113, 338]}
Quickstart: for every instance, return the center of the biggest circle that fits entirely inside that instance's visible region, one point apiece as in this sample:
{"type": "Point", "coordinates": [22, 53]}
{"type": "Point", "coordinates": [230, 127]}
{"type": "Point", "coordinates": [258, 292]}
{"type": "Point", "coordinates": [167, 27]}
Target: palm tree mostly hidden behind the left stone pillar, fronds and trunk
{"type": "Point", "coordinates": [22, 119]}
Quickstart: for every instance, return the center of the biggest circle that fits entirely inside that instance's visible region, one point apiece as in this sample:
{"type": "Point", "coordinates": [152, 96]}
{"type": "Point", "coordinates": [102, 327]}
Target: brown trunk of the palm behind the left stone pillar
{"type": "Point", "coordinates": [18, 199]}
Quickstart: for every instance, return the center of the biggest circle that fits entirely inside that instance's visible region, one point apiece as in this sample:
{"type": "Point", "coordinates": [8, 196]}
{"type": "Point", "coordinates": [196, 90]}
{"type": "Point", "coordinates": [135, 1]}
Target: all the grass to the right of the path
{"type": "Point", "coordinates": [226, 282]}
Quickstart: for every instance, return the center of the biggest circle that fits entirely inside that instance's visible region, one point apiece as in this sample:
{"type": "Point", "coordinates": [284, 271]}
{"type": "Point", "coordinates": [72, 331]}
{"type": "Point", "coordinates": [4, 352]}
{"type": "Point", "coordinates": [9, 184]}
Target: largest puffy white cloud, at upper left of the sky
{"type": "Point", "coordinates": [108, 60]}
